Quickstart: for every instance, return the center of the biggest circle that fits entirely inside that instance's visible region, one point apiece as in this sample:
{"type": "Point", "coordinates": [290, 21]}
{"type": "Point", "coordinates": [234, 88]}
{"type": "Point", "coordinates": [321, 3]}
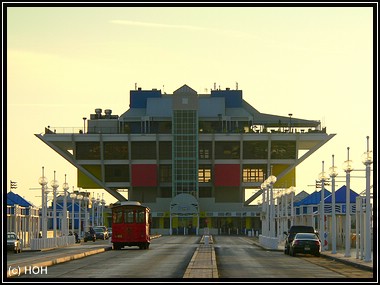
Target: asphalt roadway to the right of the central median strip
{"type": "Point", "coordinates": [238, 258]}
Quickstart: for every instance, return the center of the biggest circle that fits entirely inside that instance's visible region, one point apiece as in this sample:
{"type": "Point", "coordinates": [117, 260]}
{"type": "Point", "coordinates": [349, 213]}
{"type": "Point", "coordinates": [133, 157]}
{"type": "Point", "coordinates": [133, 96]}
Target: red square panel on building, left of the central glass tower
{"type": "Point", "coordinates": [144, 175]}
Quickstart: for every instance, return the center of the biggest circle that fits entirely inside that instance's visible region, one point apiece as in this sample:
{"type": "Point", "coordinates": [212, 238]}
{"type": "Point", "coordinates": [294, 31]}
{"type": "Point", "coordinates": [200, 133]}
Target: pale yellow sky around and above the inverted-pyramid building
{"type": "Point", "coordinates": [63, 63]}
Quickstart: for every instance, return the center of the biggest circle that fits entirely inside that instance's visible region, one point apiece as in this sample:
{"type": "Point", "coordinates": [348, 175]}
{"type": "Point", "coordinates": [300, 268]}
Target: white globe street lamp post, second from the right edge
{"type": "Point", "coordinates": [347, 166]}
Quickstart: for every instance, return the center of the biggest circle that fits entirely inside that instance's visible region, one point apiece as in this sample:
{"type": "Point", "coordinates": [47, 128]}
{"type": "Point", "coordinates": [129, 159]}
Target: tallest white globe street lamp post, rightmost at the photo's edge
{"type": "Point", "coordinates": [367, 160]}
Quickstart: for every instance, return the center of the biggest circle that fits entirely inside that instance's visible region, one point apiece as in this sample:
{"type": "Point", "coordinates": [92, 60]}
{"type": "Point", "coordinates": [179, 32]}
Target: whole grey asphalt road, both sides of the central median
{"type": "Point", "coordinates": [238, 258]}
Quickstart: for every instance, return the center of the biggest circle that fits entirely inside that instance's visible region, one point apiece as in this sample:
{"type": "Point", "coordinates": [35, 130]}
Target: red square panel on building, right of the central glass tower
{"type": "Point", "coordinates": [227, 175]}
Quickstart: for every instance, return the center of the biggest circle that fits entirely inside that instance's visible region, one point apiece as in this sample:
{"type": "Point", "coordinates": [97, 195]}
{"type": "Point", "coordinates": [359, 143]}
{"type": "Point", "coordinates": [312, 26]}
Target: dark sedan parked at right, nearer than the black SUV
{"type": "Point", "coordinates": [307, 243]}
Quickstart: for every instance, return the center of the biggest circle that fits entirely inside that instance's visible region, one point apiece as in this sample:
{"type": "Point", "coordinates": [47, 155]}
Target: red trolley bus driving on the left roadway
{"type": "Point", "coordinates": [130, 225]}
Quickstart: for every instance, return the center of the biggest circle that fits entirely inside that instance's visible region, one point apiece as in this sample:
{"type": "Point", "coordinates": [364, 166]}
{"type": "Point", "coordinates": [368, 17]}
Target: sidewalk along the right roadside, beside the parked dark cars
{"type": "Point", "coordinates": [339, 256]}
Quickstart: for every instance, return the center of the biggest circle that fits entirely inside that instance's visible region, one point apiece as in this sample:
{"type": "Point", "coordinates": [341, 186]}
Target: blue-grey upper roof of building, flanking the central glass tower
{"type": "Point", "coordinates": [219, 103]}
